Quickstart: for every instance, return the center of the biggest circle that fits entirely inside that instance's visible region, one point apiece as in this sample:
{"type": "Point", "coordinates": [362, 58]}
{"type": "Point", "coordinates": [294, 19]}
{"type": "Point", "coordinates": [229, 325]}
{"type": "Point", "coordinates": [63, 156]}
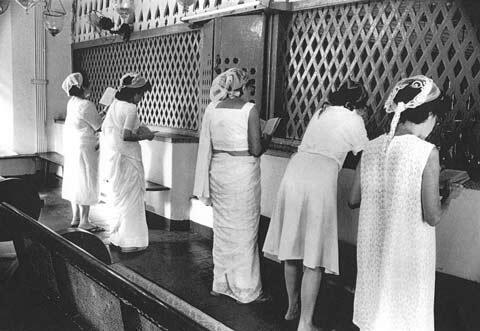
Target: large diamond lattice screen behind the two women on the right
{"type": "Point", "coordinates": [378, 43]}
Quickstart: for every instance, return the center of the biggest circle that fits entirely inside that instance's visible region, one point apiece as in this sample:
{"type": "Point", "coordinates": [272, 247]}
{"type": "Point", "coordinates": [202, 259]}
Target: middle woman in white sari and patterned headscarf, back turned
{"type": "Point", "coordinates": [228, 174]}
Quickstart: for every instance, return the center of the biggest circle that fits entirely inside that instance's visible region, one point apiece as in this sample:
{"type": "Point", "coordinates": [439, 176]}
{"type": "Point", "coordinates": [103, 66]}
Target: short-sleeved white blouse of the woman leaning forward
{"type": "Point", "coordinates": [333, 133]}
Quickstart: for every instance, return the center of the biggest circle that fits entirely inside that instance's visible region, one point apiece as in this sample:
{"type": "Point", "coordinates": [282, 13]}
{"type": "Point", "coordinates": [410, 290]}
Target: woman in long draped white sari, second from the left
{"type": "Point", "coordinates": [122, 164]}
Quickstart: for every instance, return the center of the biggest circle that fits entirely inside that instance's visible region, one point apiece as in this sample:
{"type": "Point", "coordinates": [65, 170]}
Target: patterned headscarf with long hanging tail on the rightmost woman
{"type": "Point", "coordinates": [427, 91]}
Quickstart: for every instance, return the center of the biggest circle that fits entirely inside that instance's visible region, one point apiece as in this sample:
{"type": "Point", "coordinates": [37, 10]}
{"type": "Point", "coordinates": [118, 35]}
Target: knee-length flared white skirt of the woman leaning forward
{"type": "Point", "coordinates": [303, 225]}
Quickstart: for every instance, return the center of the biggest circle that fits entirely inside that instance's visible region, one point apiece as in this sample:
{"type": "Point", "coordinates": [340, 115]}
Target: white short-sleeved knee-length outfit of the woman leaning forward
{"type": "Point", "coordinates": [303, 225]}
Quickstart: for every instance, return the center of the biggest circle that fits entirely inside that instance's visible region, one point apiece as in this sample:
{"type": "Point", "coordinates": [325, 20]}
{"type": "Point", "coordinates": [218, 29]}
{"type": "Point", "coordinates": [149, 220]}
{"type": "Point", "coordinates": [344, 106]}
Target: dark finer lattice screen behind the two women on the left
{"type": "Point", "coordinates": [170, 63]}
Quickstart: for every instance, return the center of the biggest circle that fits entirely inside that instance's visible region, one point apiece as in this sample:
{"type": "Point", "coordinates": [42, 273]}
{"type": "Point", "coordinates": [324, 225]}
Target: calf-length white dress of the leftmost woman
{"type": "Point", "coordinates": [80, 172]}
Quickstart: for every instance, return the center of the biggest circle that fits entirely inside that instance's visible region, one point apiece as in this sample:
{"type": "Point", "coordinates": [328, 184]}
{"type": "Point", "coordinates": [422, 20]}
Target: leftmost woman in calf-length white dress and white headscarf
{"type": "Point", "coordinates": [80, 171]}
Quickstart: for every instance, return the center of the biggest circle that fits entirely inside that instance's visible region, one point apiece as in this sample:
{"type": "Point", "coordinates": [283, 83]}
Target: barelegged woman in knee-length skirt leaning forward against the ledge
{"type": "Point", "coordinates": [303, 226]}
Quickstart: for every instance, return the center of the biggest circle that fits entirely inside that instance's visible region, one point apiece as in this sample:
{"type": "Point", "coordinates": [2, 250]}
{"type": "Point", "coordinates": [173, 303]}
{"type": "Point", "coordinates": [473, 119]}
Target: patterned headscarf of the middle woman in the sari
{"type": "Point", "coordinates": [226, 84]}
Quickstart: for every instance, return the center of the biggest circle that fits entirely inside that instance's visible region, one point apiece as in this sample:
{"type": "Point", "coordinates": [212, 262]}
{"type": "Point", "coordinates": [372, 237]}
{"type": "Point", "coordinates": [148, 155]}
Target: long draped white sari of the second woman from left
{"type": "Point", "coordinates": [123, 176]}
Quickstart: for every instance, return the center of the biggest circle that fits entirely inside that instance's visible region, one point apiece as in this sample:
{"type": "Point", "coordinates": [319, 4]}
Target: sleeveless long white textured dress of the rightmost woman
{"type": "Point", "coordinates": [395, 247]}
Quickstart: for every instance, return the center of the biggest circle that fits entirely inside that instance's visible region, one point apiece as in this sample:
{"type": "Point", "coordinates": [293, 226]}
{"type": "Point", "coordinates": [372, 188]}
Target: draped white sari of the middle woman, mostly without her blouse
{"type": "Point", "coordinates": [232, 183]}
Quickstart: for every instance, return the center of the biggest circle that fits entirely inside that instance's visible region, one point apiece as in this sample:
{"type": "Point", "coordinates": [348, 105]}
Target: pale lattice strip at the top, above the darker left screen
{"type": "Point", "coordinates": [149, 14]}
